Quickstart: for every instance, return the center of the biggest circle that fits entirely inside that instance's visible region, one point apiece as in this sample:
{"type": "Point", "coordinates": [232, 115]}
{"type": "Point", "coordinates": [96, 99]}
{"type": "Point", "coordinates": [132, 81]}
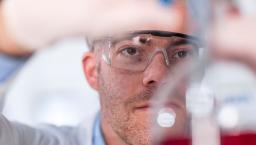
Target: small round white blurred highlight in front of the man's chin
{"type": "Point", "coordinates": [166, 117]}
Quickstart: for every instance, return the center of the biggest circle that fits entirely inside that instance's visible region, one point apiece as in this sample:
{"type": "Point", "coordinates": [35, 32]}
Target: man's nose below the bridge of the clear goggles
{"type": "Point", "coordinates": [156, 70]}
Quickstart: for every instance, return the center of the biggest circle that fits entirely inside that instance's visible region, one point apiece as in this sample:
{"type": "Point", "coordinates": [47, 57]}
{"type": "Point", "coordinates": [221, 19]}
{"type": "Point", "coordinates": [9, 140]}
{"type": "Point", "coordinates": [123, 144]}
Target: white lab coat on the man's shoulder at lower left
{"type": "Point", "coordinates": [12, 133]}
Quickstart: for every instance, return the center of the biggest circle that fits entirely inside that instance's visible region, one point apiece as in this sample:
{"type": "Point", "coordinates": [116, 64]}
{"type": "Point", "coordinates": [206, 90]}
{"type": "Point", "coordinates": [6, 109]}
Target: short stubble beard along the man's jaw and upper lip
{"type": "Point", "coordinates": [129, 128]}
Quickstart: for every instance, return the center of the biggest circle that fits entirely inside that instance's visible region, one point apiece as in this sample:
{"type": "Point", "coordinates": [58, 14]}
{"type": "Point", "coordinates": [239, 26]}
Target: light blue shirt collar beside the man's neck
{"type": "Point", "coordinates": [97, 138]}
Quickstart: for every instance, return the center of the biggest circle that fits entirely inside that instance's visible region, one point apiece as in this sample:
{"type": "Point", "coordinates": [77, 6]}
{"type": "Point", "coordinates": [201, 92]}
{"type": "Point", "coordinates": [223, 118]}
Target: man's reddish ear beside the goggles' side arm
{"type": "Point", "coordinates": [90, 69]}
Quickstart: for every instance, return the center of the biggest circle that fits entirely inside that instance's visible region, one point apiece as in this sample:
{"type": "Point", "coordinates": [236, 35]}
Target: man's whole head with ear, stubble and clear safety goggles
{"type": "Point", "coordinates": [126, 70]}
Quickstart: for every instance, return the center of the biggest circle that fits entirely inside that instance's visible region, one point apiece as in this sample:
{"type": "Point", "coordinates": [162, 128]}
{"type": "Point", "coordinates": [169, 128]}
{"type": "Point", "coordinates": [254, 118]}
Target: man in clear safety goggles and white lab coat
{"type": "Point", "coordinates": [126, 69]}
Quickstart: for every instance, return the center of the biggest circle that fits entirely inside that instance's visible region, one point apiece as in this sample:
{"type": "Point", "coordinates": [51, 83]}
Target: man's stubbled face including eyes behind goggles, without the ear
{"type": "Point", "coordinates": [126, 94]}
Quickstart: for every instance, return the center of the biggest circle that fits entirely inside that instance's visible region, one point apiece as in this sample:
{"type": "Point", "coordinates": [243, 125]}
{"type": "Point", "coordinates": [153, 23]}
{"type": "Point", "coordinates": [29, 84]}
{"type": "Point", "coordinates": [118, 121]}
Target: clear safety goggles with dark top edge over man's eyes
{"type": "Point", "coordinates": [134, 51]}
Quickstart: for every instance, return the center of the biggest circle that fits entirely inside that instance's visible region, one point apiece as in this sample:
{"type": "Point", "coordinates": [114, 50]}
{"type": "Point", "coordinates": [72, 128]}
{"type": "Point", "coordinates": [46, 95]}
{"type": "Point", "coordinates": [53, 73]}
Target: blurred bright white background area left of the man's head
{"type": "Point", "coordinates": [51, 87]}
